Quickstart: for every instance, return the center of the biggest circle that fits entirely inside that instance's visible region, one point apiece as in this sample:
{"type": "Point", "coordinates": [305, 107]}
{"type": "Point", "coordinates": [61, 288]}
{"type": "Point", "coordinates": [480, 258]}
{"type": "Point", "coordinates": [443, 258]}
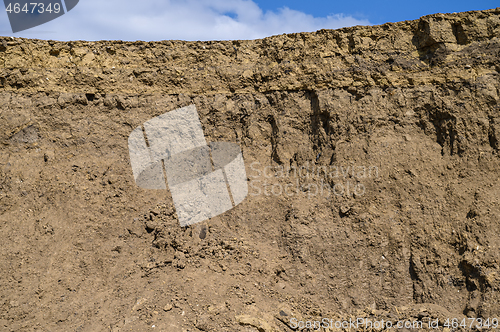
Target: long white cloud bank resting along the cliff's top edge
{"type": "Point", "coordinates": [177, 19]}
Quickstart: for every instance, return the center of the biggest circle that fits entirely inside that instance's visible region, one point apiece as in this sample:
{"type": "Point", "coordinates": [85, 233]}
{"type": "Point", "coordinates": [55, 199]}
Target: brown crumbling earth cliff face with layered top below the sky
{"type": "Point", "coordinates": [372, 156]}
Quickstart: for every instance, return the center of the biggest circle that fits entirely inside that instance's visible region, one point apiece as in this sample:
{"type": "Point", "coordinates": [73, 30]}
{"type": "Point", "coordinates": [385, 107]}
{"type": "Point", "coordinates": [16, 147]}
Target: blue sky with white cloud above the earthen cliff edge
{"type": "Point", "coordinates": [225, 19]}
